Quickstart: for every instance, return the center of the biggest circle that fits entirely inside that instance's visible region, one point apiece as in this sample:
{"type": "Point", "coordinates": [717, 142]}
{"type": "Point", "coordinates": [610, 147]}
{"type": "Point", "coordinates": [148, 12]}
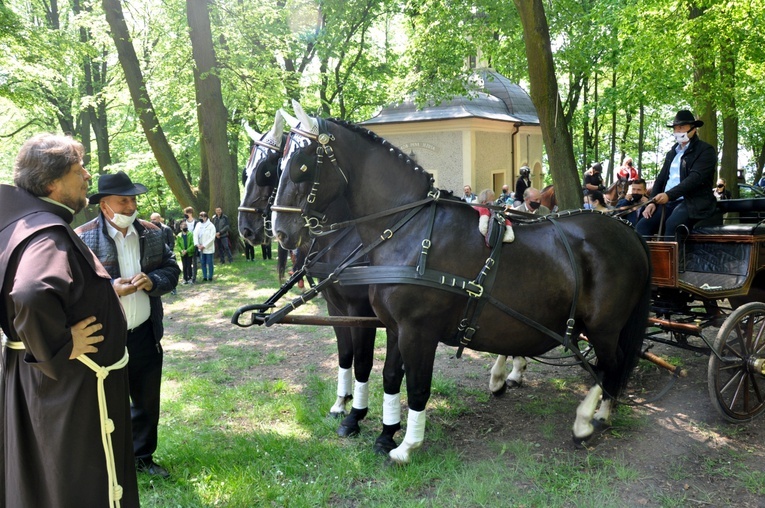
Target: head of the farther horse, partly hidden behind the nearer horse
{"type": "Point", "coordinates": [260, 177]}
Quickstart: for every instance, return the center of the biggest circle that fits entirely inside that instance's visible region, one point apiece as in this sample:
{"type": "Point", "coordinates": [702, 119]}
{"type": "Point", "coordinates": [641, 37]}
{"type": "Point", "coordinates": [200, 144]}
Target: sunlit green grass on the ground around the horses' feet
{"type": "Point", "coordinates": [232, 438]}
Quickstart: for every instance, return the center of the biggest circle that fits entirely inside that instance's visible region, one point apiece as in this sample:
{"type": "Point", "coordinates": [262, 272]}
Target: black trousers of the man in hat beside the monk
{"type": "Point", "coordinates": [145, 377]}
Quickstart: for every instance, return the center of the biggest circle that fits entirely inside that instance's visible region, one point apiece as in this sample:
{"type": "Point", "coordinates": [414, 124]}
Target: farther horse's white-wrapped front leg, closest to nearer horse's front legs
{"type": "Point", "coordinates": [363, 355]}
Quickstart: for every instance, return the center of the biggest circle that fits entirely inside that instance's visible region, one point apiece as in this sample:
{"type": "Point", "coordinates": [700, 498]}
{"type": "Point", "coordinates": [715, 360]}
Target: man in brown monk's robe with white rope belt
{"type": "Point", "coordinates": [62, 323]}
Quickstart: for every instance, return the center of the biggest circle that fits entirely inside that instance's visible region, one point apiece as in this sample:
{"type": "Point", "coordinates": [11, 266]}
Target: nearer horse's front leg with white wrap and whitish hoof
{"type": "Point", "coordinates": [419, 357]}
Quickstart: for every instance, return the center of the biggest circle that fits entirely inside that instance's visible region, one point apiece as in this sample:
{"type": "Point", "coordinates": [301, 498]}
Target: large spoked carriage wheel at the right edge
{"type": "Point", "coordinates": [736, 374]}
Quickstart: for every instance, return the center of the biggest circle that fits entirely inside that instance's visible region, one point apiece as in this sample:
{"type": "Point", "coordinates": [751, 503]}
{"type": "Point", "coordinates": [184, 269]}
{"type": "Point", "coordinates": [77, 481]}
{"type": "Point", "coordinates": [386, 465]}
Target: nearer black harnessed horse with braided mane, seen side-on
{"type": "Point", "coordinates": [563, 275]}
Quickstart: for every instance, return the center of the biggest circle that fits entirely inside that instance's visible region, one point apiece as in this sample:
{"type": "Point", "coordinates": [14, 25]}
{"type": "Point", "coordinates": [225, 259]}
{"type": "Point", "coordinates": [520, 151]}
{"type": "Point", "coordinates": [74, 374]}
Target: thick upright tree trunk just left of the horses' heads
{"type": "Point", "coordinates": [213, 118]}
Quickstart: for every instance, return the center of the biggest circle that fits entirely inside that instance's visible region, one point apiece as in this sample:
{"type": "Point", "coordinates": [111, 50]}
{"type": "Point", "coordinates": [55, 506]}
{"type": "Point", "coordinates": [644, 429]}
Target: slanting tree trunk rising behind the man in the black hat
{"type": "Point", "coordinates": [155, 136]}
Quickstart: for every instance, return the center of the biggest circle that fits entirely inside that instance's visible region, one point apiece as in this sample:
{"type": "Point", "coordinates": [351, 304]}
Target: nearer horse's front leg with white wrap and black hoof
{"type": "Point", "coordinates": [393, 374]}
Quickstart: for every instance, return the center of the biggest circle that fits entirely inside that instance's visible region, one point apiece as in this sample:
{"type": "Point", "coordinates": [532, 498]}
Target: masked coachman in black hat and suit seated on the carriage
{"type": "Point", "coordinates": [684, 184]}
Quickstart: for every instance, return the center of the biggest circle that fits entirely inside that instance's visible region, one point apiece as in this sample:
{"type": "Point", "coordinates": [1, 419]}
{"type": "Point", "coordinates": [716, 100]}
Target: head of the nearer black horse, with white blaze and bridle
{"type": "Point", "coordinates": [308, 164]}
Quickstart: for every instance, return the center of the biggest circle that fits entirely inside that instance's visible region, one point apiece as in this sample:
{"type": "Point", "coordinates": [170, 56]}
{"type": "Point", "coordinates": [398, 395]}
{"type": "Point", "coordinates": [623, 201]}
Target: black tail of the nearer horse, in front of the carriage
{"type": "Point", "coordinates": [632, 334]}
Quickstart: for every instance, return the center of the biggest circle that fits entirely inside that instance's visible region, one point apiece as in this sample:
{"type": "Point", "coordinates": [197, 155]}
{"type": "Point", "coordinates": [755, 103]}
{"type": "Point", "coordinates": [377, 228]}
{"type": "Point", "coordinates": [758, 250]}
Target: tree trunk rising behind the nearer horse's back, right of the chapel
{"type": "Point", "coordinates": [544, 94]}
